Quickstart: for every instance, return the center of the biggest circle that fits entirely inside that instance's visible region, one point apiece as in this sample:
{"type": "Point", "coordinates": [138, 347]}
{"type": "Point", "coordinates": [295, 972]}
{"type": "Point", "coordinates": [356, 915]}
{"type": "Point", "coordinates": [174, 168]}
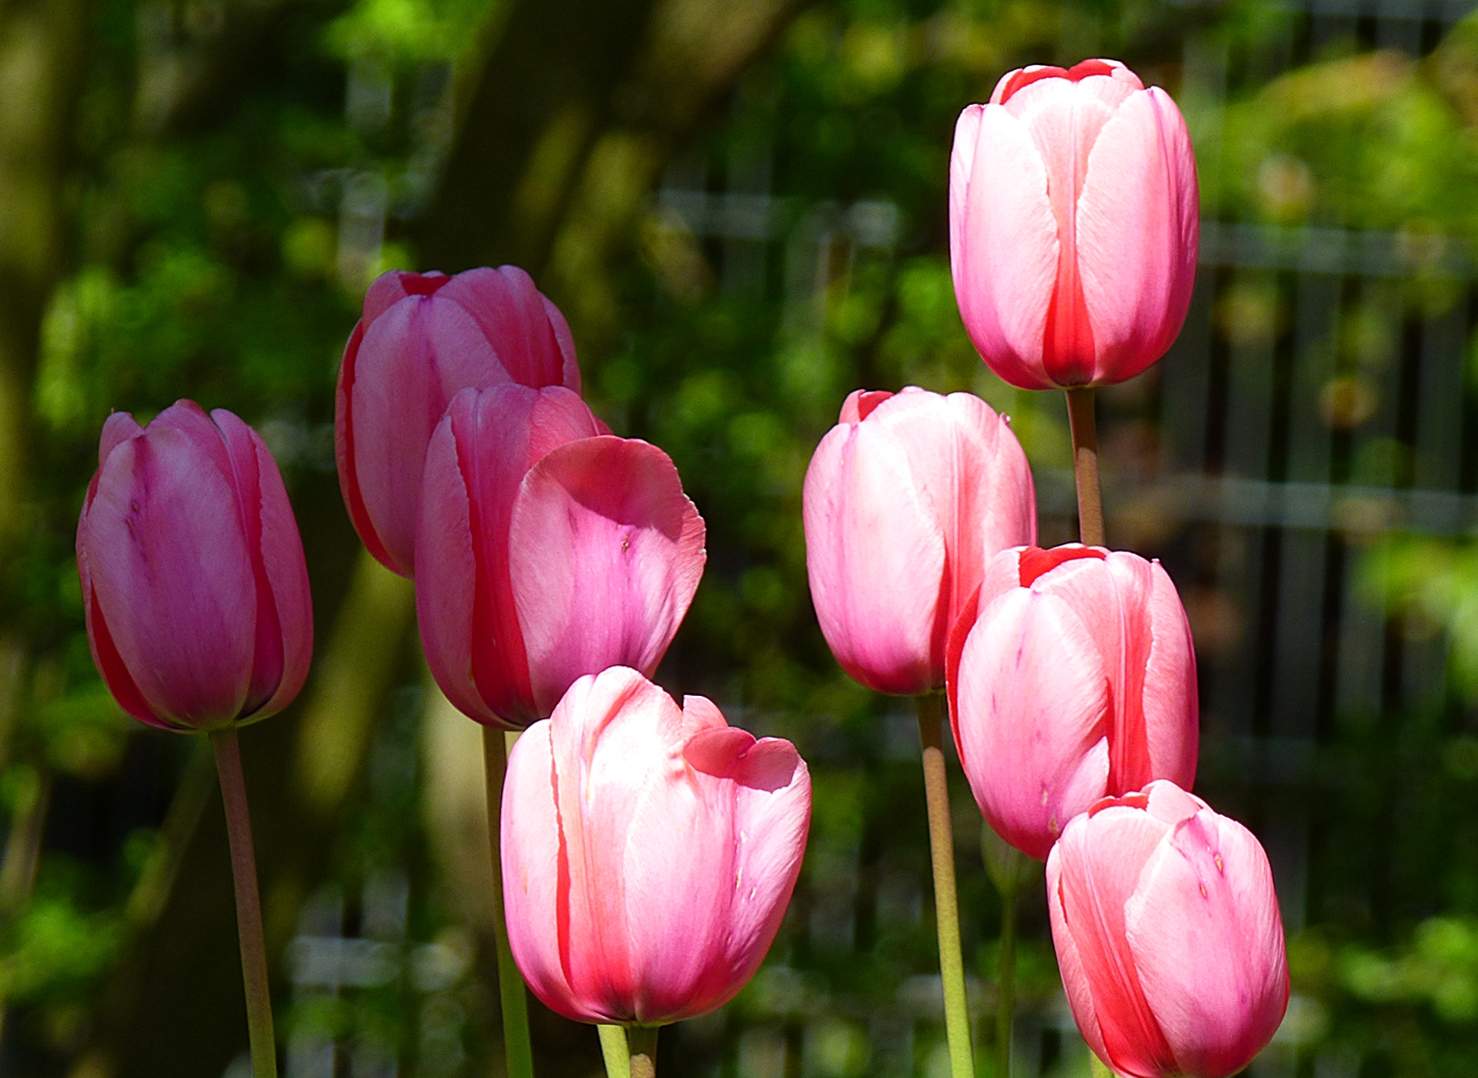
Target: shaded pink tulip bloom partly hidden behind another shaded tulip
{"type": "Point", "coordinates": [422, 339]}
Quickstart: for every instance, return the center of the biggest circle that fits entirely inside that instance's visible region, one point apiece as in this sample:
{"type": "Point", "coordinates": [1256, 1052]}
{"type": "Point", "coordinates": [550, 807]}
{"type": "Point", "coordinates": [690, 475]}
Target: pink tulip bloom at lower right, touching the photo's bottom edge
{"type": "Point", "coordinates": [1168, 935]}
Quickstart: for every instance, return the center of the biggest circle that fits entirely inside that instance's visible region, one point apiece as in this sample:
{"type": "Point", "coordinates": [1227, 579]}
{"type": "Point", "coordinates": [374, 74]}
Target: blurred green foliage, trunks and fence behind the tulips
{"type": "Point", "coordinates": [741, 208]}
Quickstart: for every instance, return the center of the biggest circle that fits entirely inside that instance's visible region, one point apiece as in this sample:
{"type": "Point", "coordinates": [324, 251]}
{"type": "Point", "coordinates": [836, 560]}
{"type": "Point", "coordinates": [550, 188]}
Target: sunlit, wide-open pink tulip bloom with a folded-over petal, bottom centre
{"type": "Point", "coordinates": [648, 852]}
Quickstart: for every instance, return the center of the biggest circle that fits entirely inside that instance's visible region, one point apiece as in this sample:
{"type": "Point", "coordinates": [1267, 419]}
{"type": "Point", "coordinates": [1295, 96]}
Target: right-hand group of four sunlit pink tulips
{"type": "Point", "coordinates": [1071, 674]}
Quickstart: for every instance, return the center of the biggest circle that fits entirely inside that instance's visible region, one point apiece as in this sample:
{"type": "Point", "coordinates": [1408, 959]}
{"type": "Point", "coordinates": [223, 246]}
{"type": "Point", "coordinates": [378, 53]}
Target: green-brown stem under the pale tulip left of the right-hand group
{"type": "Point", "coordinates": [947, 901]}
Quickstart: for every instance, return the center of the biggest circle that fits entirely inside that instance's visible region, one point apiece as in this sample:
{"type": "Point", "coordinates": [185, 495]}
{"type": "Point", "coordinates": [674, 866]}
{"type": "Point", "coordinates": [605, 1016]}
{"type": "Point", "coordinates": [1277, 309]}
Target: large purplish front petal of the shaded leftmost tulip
{"type": "Point", "coordinates": [171, 573]}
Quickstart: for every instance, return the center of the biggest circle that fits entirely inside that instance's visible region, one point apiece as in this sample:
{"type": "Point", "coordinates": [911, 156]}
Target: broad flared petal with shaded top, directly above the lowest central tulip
{"type": "Point", "coordinates": [605, 554]}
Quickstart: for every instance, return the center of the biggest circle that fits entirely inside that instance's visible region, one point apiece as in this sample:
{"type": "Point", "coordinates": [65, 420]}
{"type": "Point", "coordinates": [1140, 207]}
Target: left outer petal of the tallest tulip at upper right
{"type": "Point", "coordinates": [1006, 268]}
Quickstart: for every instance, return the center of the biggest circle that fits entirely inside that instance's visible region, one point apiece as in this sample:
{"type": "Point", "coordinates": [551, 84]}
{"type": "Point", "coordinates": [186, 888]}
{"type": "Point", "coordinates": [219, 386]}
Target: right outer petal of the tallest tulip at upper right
{"type": "Point", "coordinates": [1137, 234]}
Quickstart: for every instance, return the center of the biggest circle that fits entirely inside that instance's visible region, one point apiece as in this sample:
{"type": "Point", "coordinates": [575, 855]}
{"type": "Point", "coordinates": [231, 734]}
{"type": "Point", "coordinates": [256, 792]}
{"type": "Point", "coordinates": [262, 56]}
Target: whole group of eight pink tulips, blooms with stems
{"type": "Point", "coordinates": [647, 851]}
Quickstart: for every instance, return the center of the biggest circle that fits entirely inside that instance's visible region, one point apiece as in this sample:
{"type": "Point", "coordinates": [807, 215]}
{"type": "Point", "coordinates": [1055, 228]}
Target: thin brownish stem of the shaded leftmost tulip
{"type": "Point", "coordinates": [249, 904]}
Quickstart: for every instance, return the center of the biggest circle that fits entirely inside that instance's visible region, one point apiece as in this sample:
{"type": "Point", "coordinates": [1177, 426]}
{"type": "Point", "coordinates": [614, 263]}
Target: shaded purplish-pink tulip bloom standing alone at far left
{"type": "Point", "coordinates": [194, 583]}
